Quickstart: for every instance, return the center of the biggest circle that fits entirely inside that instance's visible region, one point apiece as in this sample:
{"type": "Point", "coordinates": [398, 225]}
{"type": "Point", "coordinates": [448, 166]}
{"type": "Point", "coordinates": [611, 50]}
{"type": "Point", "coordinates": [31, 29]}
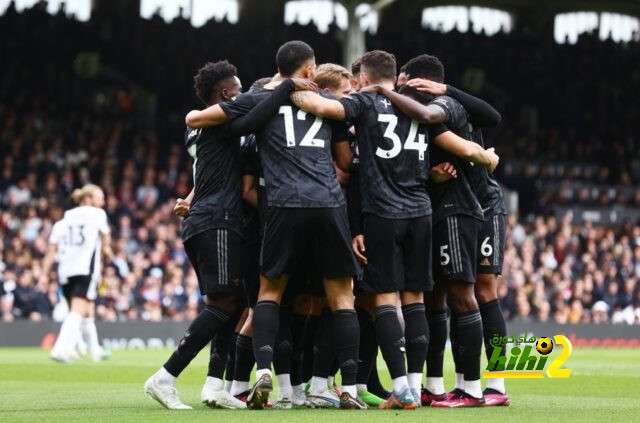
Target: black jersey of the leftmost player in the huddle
{"type": "Point", "coordinates": [217, 202]}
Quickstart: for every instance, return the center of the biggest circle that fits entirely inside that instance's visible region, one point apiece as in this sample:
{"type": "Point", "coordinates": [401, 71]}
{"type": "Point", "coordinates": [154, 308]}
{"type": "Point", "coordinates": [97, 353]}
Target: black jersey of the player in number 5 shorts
{"type": "Point", "coordinates": [456, 196]}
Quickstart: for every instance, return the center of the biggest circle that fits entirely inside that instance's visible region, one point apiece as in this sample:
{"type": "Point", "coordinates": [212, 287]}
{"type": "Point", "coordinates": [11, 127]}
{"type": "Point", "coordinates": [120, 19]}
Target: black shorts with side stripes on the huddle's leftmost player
{"type": "Point", "coordinates": [216, 256]}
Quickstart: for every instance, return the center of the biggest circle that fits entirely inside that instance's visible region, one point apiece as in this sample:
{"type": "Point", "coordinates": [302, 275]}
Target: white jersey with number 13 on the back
{"type": "Point", "coordinates": [78, 237]}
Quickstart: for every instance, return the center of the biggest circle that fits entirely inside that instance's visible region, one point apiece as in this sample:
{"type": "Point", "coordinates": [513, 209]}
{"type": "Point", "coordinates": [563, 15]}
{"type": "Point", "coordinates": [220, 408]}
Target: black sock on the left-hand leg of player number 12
{"type": "Point", "coordinates": [266, 319]}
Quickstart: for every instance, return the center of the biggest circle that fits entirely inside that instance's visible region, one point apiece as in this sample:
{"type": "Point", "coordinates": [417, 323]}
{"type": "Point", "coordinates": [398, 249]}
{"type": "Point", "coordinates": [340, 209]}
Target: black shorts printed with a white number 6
{"type": "Point", "coordinates": [492, 236]}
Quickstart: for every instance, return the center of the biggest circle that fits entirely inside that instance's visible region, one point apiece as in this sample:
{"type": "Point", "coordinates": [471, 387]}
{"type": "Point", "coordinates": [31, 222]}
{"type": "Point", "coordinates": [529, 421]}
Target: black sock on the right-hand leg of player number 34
{"type": "Point", "coordinates": [416, 333]}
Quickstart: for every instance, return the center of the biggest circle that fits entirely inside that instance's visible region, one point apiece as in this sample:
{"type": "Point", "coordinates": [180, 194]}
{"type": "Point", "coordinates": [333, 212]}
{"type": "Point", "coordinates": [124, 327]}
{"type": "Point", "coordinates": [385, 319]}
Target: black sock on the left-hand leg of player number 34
{"type": "Point", "coordinates": [391, 340]}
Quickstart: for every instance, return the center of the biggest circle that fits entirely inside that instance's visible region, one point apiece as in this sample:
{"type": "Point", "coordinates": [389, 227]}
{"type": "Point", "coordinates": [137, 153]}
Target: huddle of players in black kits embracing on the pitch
{"type": "Point", "coordinates": [323, 201]}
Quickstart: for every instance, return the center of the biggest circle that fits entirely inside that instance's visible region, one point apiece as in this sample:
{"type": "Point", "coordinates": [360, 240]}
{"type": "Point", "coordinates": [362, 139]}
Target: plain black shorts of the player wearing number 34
{"type": "Point", "coordinates": [398, 253]}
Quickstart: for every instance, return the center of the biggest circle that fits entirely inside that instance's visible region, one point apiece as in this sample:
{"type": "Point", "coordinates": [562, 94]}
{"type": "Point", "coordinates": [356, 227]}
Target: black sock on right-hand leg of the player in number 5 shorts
{"type": "Point", "coordinates": [469, 335]}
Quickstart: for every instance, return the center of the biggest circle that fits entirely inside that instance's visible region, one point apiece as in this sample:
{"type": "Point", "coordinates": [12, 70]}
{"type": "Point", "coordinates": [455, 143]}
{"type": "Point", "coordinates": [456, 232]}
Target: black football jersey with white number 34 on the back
{"type": "Point", "coordinates": [393, 158]}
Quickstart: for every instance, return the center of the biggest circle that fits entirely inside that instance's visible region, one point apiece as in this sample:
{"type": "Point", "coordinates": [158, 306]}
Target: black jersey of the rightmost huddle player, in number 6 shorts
{"type": "Point", "coordinates": [485, 185]}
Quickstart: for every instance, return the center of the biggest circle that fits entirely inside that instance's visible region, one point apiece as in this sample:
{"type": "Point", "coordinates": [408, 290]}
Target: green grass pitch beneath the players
{"type": "Point", "coordinates": [604, 386]}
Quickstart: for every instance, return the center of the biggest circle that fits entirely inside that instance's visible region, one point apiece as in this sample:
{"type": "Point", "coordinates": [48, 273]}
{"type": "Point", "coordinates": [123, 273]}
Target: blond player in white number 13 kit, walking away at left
{"type": "Point", "coordinates": [77, 242]}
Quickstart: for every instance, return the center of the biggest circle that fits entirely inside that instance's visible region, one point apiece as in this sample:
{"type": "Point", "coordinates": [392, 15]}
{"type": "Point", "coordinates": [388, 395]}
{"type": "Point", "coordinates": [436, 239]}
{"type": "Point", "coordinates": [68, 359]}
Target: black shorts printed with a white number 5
{"type": "Point", "coordinates": [454, 248]}
